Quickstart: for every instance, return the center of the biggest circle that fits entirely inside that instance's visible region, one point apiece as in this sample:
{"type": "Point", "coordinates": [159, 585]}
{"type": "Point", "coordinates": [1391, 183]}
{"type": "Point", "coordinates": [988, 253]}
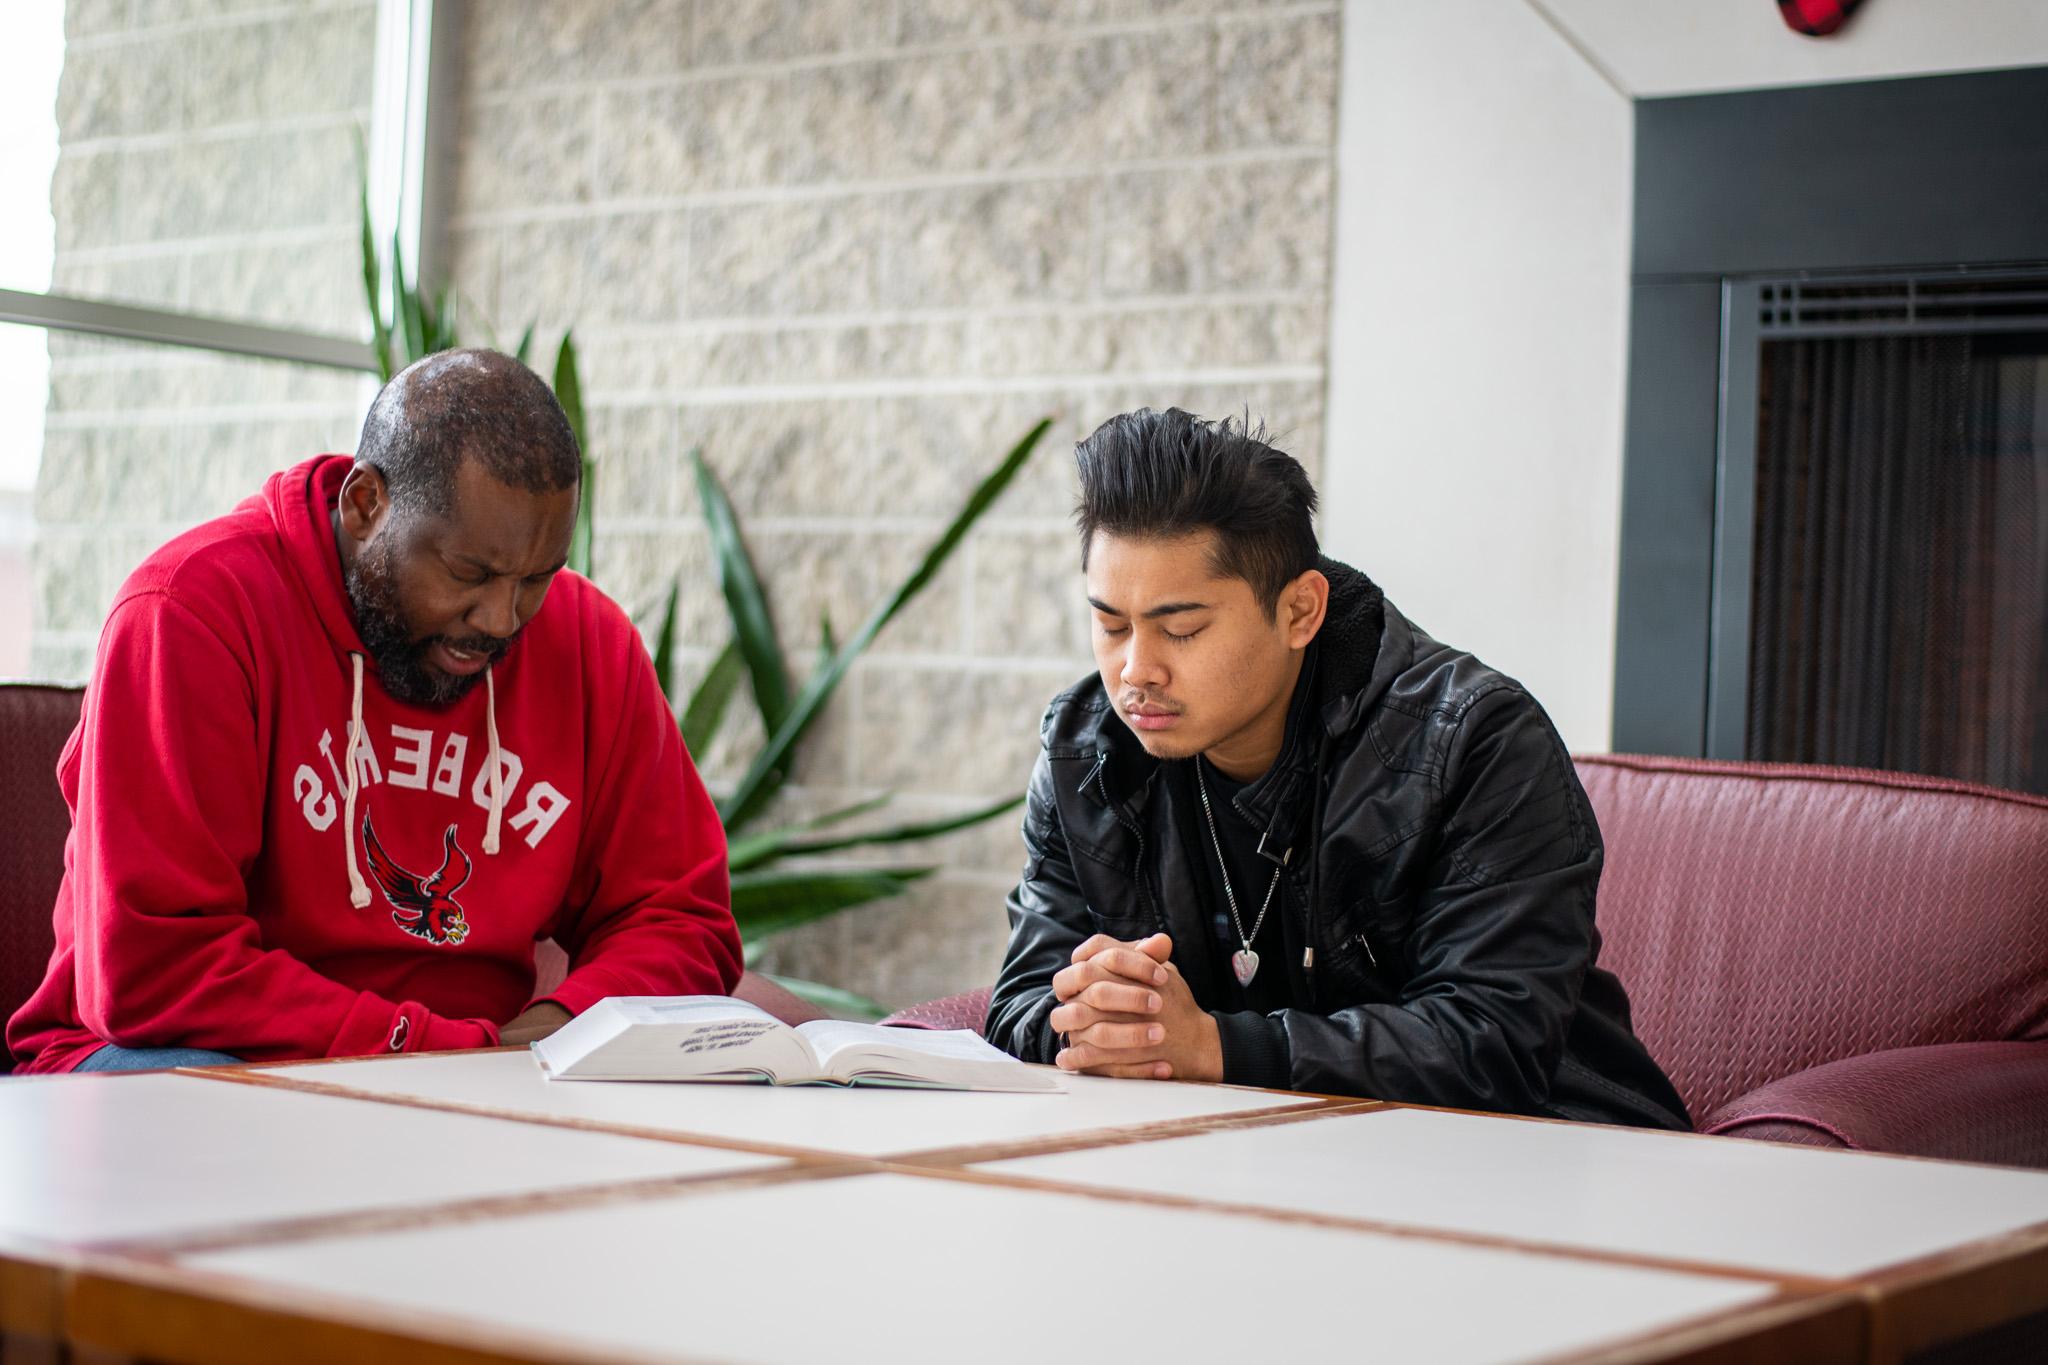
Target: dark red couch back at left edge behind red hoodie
{"type": "Point", "coordinates": [36, 721]}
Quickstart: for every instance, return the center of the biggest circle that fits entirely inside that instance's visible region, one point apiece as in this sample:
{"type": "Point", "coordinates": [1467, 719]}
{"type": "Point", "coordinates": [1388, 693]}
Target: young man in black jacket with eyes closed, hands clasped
{"type": "Point", "coordinates": [1285, 838]}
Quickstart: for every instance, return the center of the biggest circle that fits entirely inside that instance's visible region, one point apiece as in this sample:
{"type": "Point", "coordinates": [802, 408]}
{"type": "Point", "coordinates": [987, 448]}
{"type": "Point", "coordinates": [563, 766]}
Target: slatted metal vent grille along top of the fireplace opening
{"type": "Point", "coordinates": [1906, 304]}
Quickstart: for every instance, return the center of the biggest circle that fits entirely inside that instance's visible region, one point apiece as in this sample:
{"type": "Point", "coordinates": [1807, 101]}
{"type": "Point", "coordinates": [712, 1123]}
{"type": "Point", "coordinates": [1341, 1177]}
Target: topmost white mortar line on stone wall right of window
{"type": "Point", "coordinates": [910, 52]}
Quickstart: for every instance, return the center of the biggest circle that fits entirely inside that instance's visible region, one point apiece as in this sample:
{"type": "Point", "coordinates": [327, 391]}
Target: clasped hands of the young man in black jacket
{"type": "Point", "coordinates": [1127, 1012]}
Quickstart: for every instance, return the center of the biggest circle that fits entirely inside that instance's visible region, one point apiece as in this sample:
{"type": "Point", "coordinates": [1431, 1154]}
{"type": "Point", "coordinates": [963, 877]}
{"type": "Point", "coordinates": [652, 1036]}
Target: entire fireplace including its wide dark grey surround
{"type": "Point", "coordinates": [1836, 490]}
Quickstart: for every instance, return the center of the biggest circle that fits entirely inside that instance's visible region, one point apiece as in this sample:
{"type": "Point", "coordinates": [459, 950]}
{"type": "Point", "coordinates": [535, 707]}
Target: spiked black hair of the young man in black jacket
{"type": "Point", "coordinates": [1156, 476]}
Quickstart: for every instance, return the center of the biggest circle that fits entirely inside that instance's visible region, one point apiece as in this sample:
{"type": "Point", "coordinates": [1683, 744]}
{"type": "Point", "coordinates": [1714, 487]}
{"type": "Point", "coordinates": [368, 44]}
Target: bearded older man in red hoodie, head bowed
{"type": "Point", "coordinates": [353, 748]}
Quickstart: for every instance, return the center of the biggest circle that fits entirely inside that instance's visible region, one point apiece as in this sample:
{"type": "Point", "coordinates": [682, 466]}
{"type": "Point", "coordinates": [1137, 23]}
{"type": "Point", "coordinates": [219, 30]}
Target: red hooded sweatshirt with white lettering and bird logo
{"type": "Point", "coordinates": [224, 889]}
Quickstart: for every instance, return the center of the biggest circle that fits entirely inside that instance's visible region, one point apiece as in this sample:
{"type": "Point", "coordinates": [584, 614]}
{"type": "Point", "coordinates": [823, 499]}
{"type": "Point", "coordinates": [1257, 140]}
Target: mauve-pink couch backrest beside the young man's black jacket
{"type": "Point", "coordinates": [1773, 918]}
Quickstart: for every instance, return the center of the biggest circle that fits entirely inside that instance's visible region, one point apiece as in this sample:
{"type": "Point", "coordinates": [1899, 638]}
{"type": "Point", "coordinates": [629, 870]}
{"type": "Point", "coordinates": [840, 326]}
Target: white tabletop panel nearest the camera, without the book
{"type": "Point", "coordinates": [925, 1270]}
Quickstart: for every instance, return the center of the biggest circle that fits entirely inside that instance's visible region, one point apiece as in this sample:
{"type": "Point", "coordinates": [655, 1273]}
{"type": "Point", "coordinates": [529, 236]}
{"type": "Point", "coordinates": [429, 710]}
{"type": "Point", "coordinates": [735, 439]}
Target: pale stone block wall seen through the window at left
{"type": "Point", "coordinates": [208, 163]}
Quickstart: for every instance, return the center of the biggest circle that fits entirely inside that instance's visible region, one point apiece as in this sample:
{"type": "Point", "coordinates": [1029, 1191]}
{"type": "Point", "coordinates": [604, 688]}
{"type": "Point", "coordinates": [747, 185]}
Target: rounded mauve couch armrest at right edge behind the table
{"type": "Point", "coordinates": [1961, 1102]}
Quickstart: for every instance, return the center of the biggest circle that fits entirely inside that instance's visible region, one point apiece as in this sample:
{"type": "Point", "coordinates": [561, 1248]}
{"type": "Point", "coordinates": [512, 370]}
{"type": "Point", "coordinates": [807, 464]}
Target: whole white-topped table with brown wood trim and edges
{"type": "Point", "coordinates": [466, 1208]}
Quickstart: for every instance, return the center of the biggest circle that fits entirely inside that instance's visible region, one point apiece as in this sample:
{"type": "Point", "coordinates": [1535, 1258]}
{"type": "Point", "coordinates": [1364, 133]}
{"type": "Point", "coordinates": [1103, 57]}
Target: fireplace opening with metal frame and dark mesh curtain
{"type": "Point", "coordinates": [1881, 572]}
